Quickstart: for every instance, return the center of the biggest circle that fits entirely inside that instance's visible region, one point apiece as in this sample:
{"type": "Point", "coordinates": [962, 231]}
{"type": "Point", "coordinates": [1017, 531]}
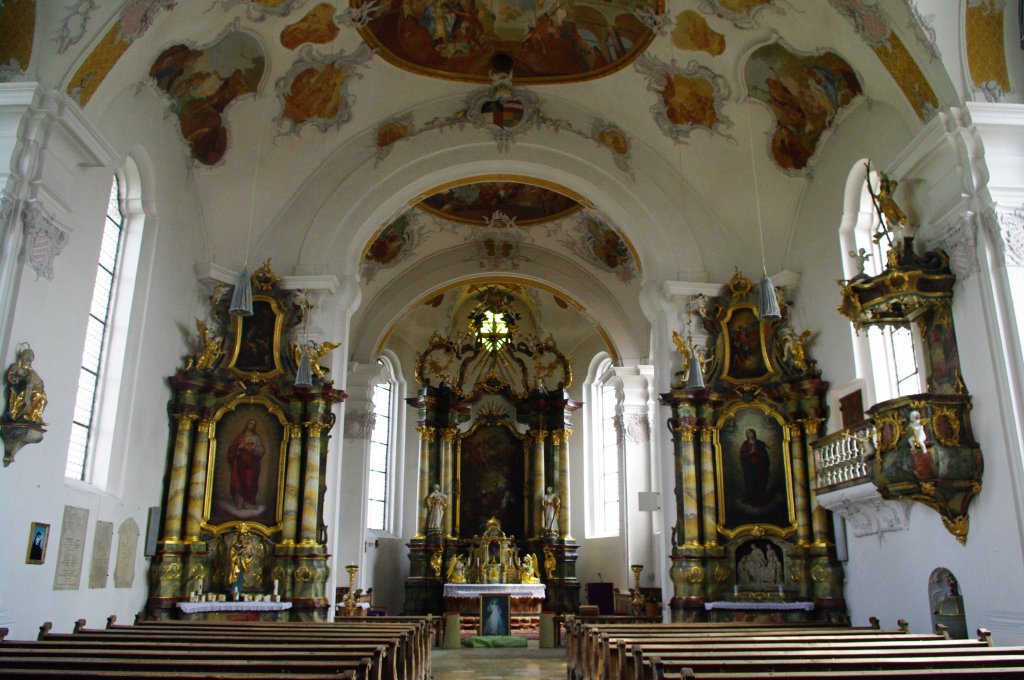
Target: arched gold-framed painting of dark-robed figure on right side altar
{"type": "Point", "coordinates": [753, 461]}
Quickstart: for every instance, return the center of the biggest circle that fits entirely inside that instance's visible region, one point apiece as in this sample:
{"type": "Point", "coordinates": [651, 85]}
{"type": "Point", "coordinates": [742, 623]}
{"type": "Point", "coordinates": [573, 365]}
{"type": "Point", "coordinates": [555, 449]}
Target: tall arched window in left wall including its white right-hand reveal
{"type": "Point", "coordinates": [107, 333]}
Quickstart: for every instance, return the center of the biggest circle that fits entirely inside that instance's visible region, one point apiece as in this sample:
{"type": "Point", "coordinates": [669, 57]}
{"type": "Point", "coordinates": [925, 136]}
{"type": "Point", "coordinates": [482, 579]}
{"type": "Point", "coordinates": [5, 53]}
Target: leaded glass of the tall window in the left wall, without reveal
{"type": "Point", "coordinates": [96, 338]}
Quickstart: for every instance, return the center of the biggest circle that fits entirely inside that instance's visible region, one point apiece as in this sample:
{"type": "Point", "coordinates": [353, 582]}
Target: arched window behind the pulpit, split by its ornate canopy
{"type": "Point", "coordinates": [887, 357]}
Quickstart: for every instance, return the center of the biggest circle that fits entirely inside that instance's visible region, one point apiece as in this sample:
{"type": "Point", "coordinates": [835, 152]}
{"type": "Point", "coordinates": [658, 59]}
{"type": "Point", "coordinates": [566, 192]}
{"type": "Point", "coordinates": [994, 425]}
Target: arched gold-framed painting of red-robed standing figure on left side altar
{"type": "Point", "coordinates": [247, 454]}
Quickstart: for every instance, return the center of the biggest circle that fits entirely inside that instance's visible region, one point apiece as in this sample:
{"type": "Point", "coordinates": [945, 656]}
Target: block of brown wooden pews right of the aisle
{"type": "Point", "coordinates": [741, 652]}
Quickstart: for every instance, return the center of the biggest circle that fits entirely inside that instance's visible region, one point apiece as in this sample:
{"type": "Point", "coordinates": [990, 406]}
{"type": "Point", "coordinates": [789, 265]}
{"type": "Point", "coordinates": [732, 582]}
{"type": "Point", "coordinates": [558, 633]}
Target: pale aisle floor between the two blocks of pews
{"type": "Point", "coordinates": [499, 664]}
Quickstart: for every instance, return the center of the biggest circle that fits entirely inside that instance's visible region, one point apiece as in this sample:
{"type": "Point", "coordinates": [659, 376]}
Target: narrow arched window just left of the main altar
{"type": "Point", "coordinates": [381, 462]}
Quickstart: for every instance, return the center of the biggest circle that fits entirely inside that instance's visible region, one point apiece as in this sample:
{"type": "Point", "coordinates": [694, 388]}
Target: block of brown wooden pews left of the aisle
{"type": "Point", "coordinates": [372, 649]}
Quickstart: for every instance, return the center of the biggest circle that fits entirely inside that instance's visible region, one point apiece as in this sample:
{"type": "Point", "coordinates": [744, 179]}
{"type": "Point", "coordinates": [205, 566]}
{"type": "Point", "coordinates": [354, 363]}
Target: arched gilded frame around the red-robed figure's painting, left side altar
{"type": "Point", "coordinates": [274, 410]}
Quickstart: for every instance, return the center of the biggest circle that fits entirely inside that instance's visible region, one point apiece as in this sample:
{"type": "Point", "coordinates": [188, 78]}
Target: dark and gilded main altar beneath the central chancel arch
{"type": "Point", "coordinates": [494, 464]}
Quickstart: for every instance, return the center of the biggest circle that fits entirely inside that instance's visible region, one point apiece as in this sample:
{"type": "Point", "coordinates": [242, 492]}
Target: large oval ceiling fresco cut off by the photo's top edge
{"type": "Point", "coordinates": [542, 41]}
